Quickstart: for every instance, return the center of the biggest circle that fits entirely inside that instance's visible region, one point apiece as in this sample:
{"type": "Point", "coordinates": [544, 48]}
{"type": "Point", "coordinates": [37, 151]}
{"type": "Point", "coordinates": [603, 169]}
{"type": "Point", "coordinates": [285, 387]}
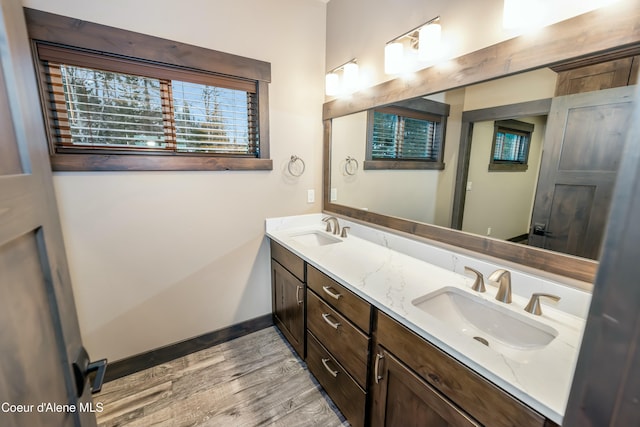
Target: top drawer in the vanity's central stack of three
{"type": "Point", "coordinates": [340, 298]}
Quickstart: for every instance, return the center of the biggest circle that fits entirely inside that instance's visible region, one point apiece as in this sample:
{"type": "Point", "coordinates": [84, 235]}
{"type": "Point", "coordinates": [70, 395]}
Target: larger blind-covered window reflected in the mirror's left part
{"type": "Point", "coordinates": [407, 138]}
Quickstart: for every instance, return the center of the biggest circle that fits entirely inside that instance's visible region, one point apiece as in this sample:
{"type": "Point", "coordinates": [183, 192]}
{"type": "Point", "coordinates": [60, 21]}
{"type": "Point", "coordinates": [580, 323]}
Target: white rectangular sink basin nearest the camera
{"type": "Point", "coordinates": [503, 330]}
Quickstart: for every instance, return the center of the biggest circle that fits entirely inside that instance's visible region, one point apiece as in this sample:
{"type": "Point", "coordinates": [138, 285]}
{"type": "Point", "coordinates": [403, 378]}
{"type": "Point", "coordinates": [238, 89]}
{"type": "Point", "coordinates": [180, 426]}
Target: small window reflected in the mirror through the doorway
{"type": "Point", "coordinates": [510, 149]}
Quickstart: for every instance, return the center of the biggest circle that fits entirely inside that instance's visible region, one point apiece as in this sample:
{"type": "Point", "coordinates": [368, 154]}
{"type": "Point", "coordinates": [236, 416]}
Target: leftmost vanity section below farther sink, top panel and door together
{"type": "Point", "coordinates": [288, 294]}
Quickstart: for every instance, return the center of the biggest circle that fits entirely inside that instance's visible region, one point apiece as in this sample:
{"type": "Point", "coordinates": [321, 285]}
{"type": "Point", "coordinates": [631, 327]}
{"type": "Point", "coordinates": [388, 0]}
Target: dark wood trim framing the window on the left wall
{"type": "Point", "coordinates": [50, 33]}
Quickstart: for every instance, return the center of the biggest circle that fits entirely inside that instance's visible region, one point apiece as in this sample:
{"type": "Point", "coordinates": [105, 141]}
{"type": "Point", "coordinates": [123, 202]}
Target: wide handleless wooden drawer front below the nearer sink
{"type": "Point", "coordinates": [481, 399]}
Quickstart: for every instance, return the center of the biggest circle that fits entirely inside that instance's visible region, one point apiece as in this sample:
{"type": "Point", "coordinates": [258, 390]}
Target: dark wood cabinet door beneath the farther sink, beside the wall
{"type": "Point", "coordinates": [288, 305]}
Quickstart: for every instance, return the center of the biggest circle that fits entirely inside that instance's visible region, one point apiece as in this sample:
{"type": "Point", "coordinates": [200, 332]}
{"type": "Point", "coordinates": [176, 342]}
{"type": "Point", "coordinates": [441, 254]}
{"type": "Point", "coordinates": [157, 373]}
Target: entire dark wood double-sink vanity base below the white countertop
{"type": "Point", "coordinates": [396, 378]}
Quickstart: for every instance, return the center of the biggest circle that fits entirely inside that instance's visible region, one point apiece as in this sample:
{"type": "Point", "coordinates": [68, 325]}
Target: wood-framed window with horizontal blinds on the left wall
{"type": "Point", "coordinates": [114, 111]}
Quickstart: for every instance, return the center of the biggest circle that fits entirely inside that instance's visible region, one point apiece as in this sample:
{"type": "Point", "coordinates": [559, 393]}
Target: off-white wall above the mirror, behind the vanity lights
{"type": "Point", "coordinates": [361, 28]}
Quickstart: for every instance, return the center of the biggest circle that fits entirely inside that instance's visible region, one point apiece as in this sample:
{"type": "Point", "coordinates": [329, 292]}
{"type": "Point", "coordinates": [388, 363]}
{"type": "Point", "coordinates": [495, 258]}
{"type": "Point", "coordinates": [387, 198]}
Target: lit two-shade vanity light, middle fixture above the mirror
{"type": "Point", "coordinates": [412, 49]}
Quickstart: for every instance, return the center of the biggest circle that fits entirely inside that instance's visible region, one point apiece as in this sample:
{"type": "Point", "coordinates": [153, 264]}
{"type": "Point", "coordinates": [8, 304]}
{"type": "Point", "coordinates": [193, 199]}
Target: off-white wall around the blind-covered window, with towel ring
{"type": "Point", "coordinates": [159, 257]}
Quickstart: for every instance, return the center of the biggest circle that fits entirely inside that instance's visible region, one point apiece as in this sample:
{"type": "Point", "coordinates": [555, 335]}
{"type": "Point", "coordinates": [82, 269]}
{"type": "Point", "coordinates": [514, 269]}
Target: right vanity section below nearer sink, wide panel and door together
{"type": "Point", "coordinates": [437, 386]}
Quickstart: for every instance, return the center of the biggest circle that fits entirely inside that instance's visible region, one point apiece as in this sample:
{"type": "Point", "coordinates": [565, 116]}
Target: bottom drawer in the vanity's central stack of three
{"type": "Point", "coordinates": [342, 389]}
